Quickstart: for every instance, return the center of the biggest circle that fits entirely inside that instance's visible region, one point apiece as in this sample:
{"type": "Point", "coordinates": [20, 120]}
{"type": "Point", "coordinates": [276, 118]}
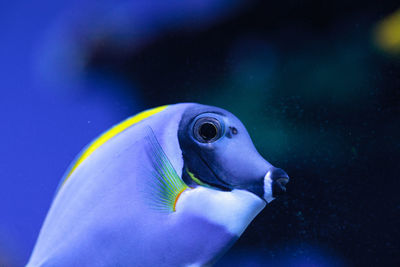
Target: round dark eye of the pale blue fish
{"type": "Point", "coordinates": [207, 130]}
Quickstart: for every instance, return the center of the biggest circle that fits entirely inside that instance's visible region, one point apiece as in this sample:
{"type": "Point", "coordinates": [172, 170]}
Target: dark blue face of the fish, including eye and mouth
{"type": "Point", "coordinates": [218, 152]}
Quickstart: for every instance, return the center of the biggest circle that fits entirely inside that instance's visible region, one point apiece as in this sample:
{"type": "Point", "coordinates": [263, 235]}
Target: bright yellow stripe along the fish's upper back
{"type": "Point", "coordinates": [111, 133]}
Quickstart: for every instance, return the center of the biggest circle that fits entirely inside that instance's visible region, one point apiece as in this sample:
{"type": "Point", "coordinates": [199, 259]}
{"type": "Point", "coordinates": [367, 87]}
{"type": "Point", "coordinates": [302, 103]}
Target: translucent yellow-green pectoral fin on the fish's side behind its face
{"type": "Point", "coordinates": [165, 185]}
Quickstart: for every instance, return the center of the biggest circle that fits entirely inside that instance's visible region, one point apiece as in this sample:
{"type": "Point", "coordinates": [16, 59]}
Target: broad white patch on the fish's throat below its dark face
{"type": "Point", "coordinates": [234, 210]}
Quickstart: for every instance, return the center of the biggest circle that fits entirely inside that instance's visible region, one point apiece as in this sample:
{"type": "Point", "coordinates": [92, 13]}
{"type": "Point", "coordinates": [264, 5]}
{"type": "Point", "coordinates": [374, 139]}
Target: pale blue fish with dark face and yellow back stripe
{"type": "Point", "coordinates": [175, 185]}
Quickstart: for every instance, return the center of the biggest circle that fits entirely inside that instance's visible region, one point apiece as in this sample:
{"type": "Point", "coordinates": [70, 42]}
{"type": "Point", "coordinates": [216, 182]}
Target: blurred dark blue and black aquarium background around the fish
{"type": "Point", "coordinates": [317, 83]}
